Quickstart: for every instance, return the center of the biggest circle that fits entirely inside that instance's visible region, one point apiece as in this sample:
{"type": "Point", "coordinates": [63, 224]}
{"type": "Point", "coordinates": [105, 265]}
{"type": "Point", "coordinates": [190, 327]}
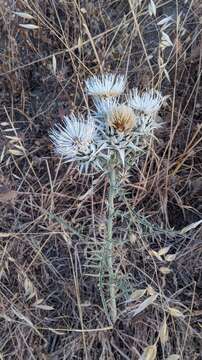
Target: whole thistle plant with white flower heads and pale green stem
{"type": "Point", "coordinates": [109, 140]}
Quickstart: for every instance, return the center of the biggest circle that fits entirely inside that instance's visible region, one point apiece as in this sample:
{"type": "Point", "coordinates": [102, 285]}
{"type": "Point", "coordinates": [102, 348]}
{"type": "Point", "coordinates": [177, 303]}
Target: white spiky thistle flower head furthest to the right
{"type": "Point", "coordinates": [149, 102]}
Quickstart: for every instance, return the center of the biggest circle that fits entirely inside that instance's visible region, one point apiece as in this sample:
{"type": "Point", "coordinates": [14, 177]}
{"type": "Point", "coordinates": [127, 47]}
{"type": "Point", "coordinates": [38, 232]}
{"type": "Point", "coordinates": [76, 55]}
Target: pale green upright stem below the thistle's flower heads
{"type": "Point", "coordinates": [112, 285]}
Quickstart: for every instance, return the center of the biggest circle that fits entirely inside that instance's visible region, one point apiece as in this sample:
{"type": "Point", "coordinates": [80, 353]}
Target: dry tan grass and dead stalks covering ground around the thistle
{"type": "Point", "coordinates": [52, 219]}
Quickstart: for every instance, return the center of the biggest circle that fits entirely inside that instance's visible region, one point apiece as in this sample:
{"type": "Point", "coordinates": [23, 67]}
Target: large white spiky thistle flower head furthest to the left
{"type": "Point", "coordinates": [74, 139]}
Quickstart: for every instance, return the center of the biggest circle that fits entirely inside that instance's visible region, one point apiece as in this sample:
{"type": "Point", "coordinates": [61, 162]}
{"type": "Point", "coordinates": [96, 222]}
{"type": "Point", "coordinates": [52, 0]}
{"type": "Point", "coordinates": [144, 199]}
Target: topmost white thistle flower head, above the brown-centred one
{"type": "Point", "coordinates": [107, 85]}
